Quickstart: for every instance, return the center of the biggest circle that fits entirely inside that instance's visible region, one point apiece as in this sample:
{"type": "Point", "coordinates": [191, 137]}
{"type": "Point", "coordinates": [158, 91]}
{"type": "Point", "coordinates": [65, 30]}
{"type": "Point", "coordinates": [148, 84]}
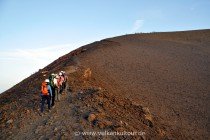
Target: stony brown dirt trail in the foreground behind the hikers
{"type": "Point", "coordinates": [55, 124]}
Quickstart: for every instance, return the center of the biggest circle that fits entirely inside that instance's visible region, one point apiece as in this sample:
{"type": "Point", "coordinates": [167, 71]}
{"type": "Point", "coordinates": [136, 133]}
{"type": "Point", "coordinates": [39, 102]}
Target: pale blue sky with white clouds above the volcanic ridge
{"type": "Point", "coordinates": [33, 33]}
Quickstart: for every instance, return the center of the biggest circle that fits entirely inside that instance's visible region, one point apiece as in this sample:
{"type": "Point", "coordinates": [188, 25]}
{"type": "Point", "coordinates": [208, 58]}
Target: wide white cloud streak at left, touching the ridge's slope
{"type": "Point", "coordinates": [36, 56]}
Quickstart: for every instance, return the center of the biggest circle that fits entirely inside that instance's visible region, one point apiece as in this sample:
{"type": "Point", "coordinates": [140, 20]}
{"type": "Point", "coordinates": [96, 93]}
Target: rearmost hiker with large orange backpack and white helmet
{"type": "Point", "coordinates": [46, 94]}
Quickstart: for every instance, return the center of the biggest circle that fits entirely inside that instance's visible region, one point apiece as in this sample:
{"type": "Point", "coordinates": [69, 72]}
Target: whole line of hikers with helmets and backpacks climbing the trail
{"type": "Point", "coordinates": [52, 88]}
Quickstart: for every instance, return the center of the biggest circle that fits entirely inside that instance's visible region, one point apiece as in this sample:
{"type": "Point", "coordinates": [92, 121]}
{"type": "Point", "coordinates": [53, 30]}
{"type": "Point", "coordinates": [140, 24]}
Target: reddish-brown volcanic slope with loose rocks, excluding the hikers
{"type": "Point", "coordinates": [155, 84]}
